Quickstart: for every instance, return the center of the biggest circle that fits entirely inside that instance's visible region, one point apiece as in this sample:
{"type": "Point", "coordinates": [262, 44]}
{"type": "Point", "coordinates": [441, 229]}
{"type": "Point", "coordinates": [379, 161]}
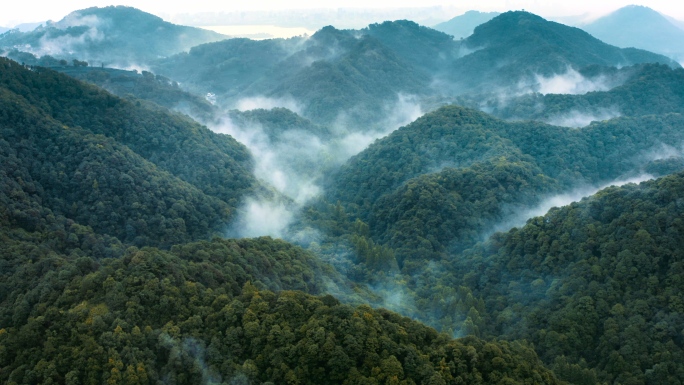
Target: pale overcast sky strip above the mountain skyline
{"type": "Point", "coordinates": [14, 12]}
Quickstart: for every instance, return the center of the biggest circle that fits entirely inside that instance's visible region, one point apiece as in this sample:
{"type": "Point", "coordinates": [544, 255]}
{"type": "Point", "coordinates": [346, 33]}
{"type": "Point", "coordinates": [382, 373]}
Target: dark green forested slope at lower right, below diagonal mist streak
{"type": "Point", "coordinates": [596, 284]}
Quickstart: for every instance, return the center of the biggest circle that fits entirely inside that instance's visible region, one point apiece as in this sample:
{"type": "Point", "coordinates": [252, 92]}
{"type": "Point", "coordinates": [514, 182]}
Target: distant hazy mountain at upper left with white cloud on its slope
{"type": "Point", "coordinates": [114, 35]}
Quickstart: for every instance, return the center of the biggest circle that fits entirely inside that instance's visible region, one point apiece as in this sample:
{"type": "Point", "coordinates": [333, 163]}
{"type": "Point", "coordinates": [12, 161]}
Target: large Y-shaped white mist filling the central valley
{"type": "Point", "coordinates": [294, 161]}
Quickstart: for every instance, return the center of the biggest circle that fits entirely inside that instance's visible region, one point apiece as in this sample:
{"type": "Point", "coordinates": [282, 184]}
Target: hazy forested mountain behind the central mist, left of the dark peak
{"type": "Point", "coordinates": [333, 73]}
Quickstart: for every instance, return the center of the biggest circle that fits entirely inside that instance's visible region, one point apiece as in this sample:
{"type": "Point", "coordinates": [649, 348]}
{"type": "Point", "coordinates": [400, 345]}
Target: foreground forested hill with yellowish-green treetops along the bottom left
{"type": "Point", "coordinates": [154, 315]}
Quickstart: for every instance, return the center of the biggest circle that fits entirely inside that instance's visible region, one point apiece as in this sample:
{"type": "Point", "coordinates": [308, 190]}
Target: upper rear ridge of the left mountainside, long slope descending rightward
{"type": "Point", "coordinates": [216, 164]}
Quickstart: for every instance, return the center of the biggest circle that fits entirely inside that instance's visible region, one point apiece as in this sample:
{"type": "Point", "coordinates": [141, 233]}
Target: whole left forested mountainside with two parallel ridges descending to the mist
{"type": "Point", "coordinates": [154, 178]}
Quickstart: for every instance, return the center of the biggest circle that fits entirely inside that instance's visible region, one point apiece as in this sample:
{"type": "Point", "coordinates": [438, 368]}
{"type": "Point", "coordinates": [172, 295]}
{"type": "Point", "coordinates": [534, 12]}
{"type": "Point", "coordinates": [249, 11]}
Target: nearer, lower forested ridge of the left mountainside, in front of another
{"type": "Point", "coordinates": [97, 182]}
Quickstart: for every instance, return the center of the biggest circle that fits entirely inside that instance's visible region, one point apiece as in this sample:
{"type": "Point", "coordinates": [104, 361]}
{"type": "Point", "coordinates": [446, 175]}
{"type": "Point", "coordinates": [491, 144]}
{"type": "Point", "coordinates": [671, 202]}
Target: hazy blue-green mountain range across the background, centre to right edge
{"type": "Point", "coordinates": [350, 75]}
